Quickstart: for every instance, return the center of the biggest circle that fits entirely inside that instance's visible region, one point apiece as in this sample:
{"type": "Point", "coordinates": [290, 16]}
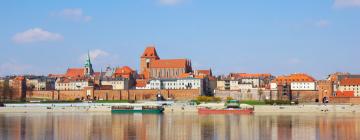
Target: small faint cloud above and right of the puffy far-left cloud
{"type": "Point", "coordinates": [75, 14]}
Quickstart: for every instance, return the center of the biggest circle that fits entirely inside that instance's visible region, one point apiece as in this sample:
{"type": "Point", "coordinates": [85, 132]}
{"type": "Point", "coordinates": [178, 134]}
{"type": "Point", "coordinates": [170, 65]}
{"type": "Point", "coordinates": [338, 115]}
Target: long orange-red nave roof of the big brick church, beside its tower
{"type": "Point", "coordinates": [169, 63]}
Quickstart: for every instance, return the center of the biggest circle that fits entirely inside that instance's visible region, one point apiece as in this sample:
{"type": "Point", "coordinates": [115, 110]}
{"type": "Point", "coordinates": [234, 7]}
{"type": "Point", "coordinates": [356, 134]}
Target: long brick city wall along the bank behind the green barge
{"type": "Point", "coordinates": [114, 94]}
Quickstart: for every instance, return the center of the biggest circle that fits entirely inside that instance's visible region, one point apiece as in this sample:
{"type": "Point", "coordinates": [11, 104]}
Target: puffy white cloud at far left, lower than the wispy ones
{"type": "Point", "coordinates": [36, 35]}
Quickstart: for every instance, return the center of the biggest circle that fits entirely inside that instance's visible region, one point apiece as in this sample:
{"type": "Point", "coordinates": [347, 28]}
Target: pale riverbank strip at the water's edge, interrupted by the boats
{"type": "Point", "coordinates": [175, 108]}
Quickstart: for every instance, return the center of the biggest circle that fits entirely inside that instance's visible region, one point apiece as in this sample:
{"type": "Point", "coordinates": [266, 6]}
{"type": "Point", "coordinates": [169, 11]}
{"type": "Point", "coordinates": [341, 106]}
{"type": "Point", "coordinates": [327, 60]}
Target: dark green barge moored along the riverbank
{"type": "Point", "coordinates": [138, 109]}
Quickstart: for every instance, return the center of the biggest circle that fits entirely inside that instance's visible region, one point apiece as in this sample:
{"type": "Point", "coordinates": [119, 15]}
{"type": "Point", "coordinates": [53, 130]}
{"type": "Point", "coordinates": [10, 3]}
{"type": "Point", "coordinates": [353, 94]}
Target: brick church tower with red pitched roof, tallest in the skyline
{"type": "Point", "coordinates": [146, 58]}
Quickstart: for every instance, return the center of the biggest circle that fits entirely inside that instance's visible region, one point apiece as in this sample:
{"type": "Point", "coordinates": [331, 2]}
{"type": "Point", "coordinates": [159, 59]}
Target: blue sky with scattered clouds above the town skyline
{"type": "Point", "coordinates": [280, 37]}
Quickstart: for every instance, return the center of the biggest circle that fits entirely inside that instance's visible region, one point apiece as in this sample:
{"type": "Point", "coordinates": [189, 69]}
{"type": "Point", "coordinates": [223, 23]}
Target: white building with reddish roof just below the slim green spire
{"type": "Point", "coordinates": [72, 84]}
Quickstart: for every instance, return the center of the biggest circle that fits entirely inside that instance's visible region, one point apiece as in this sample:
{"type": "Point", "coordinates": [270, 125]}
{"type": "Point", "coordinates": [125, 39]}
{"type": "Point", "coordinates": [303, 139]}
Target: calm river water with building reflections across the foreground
{"type": "Point", "coordinates": [178, 126]}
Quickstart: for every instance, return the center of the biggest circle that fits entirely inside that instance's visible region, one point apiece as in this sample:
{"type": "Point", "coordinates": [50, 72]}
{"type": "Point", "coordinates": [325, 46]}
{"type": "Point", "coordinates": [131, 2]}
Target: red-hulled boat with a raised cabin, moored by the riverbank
{"type": "Point", "coordinates": [231, 107]}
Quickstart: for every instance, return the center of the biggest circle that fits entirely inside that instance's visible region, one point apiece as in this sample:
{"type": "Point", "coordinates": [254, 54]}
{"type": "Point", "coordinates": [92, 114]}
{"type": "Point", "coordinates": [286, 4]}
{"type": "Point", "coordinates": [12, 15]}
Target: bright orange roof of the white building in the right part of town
{"type": "Point", "coordinates": [298, 77]}
